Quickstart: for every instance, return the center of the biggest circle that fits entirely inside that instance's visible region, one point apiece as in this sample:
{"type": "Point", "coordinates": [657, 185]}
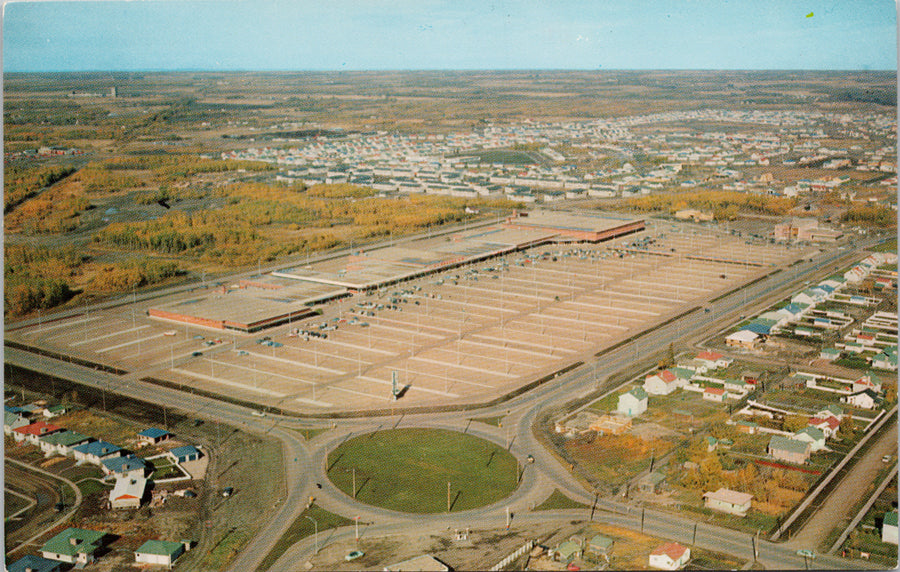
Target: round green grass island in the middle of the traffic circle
{"type": "Point", "coordinates": [408, 470]}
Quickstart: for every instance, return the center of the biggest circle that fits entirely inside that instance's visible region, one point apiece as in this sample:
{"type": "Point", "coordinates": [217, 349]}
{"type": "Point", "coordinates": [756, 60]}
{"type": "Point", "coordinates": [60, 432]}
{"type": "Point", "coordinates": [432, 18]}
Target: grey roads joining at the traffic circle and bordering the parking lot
{"type": "Point", "coordinates": [305, 462]}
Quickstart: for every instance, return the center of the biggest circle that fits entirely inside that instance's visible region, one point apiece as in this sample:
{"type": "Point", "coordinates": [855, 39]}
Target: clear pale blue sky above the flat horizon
{"type": "Point", "coordinates": [449, 34]}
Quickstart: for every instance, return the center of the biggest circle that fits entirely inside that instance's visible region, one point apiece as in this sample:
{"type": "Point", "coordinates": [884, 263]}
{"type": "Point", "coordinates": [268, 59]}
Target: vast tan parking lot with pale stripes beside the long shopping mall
{"type": "Point", "coordinates": [458, 336]}
